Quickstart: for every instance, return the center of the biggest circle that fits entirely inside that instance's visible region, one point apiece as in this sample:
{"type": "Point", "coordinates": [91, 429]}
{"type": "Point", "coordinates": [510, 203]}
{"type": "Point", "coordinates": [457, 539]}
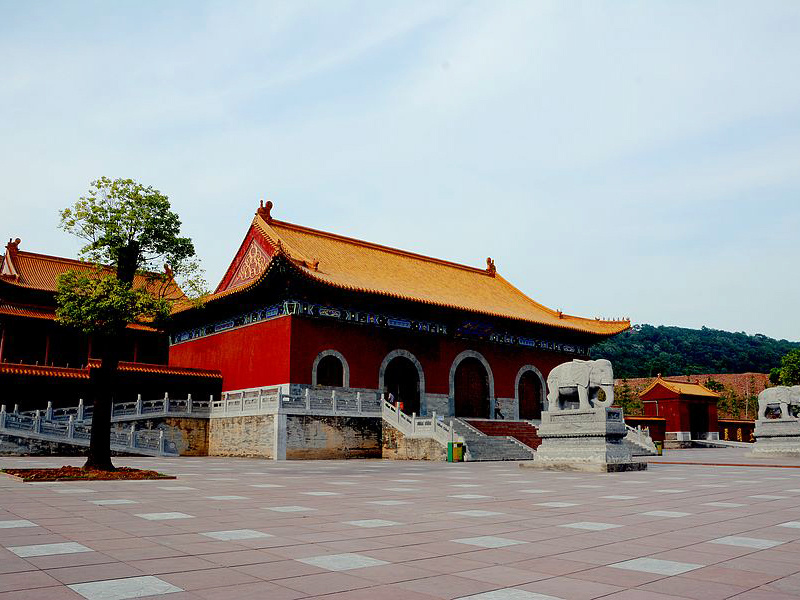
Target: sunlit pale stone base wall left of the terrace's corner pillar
{"type": "Point", "coordinates": [242, 436]}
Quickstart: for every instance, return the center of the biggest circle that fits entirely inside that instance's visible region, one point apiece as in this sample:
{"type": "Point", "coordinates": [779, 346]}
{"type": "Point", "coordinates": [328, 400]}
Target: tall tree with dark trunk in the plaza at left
{"type": "Point", "coordinates": [129, 229]}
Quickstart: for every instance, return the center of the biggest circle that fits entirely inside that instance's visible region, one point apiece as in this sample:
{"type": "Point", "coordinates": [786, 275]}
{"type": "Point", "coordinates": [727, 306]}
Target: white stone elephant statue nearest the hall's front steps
{"type": "Point", "coordinates": [587, 378]}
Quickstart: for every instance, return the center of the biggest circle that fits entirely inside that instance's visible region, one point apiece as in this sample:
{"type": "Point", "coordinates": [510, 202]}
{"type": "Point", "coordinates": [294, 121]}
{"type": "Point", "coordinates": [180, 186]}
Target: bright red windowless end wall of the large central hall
{"type": "Point", "coordinates": [252, 356]}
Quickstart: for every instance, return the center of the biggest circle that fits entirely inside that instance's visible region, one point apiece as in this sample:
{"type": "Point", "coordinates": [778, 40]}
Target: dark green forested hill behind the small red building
{"type": "Point", "coordinates": [645, 351]}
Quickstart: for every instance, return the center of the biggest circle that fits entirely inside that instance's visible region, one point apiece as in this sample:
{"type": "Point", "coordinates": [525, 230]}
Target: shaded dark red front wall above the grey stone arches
{"type": "Point", "coordinates": [364, 348]}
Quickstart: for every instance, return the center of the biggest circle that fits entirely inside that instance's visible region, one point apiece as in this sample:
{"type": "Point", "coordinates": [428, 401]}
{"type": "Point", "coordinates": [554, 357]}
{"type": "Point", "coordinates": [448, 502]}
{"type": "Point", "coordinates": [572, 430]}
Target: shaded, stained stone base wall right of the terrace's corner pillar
{"type": "Point", "coordinates": [316, 437]}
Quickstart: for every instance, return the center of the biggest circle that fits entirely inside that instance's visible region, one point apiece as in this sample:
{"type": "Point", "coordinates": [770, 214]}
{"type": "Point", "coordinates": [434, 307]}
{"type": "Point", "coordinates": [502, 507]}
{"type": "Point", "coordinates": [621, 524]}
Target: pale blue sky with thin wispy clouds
{"type": "Point", "coordinates": [633, 159]}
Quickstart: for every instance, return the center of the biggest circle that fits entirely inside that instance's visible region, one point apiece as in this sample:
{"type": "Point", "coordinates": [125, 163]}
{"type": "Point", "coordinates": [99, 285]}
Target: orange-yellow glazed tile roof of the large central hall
{"type": "Point", "coordinates": [361, 266]}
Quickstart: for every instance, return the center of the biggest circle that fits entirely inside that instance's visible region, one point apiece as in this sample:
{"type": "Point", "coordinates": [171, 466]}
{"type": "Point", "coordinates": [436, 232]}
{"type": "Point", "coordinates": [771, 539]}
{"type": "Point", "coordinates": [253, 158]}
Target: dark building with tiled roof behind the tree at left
{"type": "Point", "coordinates": [42, 361]}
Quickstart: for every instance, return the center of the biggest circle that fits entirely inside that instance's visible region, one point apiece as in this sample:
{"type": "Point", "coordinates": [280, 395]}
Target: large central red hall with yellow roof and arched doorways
{"type": "Point", "coordinates": [303, 312]}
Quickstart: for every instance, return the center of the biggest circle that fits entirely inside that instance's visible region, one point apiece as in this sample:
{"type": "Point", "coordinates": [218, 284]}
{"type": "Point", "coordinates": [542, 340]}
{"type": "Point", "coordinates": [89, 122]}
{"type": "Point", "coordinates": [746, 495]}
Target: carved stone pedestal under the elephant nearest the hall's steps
{"type": "Point", "coordinates": [584, 440]}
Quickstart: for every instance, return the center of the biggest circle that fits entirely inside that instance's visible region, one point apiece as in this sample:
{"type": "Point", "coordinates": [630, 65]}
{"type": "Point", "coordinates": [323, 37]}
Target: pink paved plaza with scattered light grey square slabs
{"type": "Point", "coordinates": [232, 528]}
